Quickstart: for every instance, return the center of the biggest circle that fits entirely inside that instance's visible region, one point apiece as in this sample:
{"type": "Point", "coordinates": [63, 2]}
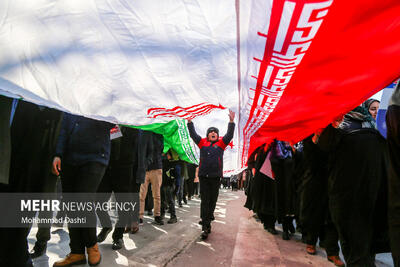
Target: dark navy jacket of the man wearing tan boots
{"type": "Point", "coordinates": [83, 140]}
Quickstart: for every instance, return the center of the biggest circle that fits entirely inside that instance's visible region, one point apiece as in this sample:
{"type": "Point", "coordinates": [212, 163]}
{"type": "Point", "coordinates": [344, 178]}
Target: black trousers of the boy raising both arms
{"type": "Point", "coordinates": [209, 188]}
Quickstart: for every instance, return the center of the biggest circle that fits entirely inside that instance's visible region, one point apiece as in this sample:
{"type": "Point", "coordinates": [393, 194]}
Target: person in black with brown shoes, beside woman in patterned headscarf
{"type": "Point", "coordinates": [314, 211]}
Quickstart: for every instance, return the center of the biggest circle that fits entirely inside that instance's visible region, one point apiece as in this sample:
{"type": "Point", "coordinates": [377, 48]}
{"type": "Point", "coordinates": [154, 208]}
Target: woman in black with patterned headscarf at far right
{"type": "Point", "coordinates": [357, 186]}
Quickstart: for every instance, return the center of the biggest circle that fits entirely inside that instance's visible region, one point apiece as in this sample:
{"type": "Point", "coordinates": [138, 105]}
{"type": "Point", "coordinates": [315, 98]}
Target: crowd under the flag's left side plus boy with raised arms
{"type": "Point", "coordinates": [44, 150]}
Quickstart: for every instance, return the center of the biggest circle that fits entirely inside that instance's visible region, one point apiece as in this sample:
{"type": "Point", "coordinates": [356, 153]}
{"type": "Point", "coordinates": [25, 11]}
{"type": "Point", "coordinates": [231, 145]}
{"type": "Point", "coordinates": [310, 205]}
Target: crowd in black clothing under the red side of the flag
{"type": "Point", "coordinates": [340, 184]}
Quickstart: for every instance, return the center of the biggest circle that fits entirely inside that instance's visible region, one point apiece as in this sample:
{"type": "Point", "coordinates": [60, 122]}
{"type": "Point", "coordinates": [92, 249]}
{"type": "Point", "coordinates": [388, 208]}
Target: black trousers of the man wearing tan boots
{"type": "Point", "coordinates": [82, 179]}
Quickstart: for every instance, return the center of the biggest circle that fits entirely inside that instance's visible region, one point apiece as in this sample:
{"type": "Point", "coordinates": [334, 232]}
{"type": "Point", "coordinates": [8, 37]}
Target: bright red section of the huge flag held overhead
{"type": "Point", "coordinates": [355, 53]}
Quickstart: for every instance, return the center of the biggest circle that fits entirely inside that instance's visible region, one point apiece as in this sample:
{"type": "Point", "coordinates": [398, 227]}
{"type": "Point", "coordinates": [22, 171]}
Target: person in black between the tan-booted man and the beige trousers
{"type": "Point", "coordinates": [127, 165]}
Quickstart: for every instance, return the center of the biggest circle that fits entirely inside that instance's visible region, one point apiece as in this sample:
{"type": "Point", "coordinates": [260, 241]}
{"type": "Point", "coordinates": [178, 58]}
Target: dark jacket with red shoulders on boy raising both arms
{"type": "Point", "coordinates": [211, 153]}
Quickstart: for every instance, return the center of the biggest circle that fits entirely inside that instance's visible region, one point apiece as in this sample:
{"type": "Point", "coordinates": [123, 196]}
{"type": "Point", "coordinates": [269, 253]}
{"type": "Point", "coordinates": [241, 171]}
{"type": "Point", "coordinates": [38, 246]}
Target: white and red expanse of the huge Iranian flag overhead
{"type": "Point", "coordinates": [287, 67]}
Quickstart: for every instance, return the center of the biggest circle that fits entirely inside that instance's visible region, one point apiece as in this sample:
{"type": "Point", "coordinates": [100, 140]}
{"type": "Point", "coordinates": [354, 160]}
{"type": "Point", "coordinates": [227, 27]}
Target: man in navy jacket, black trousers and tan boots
{"type": "Point", "coordinates": [83, 147]}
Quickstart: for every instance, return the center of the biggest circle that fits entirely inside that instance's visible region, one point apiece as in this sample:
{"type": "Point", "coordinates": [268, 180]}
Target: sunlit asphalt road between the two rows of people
{"type": "Point", "coordinates": [237, 239]}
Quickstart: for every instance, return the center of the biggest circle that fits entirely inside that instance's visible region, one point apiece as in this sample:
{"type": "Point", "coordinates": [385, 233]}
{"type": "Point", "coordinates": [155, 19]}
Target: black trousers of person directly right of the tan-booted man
{"type": "Point", "coordinates": [117, 179]}
